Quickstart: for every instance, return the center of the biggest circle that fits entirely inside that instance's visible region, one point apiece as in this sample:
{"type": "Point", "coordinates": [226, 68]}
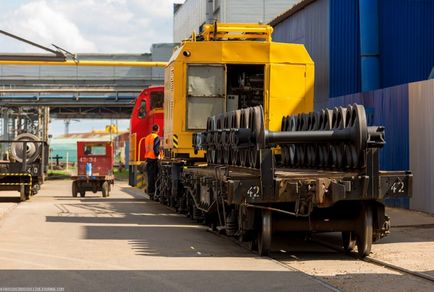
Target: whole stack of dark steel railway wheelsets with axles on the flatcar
{"type": "Point", "coordinates": [329, 139]}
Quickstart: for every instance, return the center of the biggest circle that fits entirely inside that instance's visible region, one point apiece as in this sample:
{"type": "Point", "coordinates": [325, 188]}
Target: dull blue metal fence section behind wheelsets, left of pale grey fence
{"type": "Point", "coordinates": [387, 107]}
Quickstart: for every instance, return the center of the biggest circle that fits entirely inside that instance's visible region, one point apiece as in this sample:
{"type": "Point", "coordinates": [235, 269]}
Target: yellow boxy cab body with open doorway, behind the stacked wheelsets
{"type": "Point", "coordinates": [229, 67]}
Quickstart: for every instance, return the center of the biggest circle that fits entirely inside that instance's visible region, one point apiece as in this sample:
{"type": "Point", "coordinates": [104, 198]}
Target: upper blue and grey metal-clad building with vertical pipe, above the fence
{"type": "Point", "coordinates": [361, 45]}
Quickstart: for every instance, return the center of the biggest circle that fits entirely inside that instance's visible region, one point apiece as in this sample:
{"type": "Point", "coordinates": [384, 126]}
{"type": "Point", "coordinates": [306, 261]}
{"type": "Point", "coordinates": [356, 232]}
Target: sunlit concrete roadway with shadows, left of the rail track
{"type": "Point", "coordinates": [126, 243]}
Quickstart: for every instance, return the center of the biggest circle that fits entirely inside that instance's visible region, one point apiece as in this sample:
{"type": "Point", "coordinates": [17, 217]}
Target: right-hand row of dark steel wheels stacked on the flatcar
{"type": "Point", "coordinates": [331, 154]}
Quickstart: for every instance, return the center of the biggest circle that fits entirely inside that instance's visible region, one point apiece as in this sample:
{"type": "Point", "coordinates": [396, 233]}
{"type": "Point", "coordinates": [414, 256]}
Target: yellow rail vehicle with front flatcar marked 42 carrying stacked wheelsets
{"type": "Point", "coordinates": [244, 154]}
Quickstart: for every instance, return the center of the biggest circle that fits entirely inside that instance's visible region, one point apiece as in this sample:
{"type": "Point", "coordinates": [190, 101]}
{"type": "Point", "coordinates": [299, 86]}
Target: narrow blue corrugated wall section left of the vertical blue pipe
{"type": "Point", "coordinates": [344, 47]}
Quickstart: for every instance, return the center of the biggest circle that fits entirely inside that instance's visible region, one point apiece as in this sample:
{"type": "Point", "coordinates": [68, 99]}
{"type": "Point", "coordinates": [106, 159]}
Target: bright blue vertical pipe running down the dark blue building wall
{"type": "Point", "coordinates": [369, 45]}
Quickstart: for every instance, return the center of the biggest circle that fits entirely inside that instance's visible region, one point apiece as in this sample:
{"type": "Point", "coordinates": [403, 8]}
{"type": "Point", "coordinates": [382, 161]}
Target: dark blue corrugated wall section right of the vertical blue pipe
{"type": "Point", "coordinates": [407, 40]}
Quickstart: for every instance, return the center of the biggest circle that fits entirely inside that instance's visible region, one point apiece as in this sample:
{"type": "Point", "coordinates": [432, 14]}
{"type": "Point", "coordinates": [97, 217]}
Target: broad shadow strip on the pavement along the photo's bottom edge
{"type": "Point", "coordinates": [73, 280]}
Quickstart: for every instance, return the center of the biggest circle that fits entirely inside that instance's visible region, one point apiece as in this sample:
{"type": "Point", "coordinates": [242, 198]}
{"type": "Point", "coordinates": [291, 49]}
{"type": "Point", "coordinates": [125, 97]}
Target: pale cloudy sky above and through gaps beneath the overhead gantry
{"type": "Point", "coordinates": [87, 26]}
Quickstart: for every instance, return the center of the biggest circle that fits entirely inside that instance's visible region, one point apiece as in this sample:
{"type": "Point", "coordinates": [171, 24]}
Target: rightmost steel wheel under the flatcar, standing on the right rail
{"type": "Point", "coordinates": [364, 235]}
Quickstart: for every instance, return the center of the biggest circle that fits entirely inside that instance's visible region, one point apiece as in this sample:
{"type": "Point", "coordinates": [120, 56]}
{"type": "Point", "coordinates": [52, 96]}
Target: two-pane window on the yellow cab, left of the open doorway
{"type": "Point", "coordinates": [205, 94]}
